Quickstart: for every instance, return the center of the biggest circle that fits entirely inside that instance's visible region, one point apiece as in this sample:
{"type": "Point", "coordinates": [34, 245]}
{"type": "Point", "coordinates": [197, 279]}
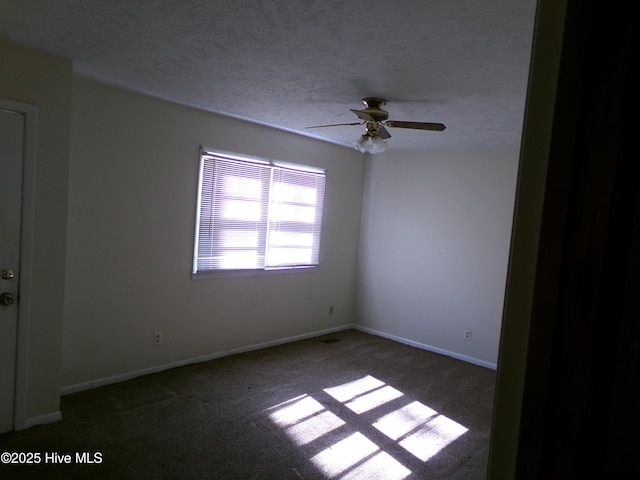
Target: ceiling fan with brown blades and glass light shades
{"type": "Point", "coordinates": [375, 120]}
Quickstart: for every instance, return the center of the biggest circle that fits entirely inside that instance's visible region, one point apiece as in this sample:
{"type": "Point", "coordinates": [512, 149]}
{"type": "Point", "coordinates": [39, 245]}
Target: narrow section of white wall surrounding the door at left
{"type": "Point", "coordinates": [36, 78]}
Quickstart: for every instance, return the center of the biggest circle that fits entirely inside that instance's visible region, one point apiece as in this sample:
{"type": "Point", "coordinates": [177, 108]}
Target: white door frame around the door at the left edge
{"type": "Point", "coordinates": [30, 115]}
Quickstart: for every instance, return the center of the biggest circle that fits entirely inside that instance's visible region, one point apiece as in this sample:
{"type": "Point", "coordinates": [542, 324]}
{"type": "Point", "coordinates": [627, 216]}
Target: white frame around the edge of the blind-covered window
{"type": "Point", "coordinates": [206, 154]}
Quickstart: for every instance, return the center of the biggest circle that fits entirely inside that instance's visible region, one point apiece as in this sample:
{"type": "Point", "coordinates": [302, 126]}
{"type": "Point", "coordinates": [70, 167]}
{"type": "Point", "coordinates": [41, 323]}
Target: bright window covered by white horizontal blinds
{"type": "Point", "coordinates": [257, 215]}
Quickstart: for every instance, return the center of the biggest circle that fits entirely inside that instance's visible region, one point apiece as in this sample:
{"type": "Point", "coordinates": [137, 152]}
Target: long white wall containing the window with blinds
{"type": "Point", "coordinates": [132, 199]}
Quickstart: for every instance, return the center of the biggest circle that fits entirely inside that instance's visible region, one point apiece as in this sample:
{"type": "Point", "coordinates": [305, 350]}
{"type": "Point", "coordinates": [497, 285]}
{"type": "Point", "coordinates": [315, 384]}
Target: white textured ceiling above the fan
{"type": "Point", "coordinates": [298, 63]}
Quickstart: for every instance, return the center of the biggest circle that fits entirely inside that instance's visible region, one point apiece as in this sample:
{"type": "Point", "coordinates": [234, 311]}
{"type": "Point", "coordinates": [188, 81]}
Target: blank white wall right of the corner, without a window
{"type": "Point", "coordinates": [434, 249]}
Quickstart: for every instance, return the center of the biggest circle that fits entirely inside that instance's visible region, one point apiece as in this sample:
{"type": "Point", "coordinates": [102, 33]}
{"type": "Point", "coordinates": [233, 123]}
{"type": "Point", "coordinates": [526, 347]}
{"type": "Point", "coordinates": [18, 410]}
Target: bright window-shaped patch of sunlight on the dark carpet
{"type": "Point", "coordinates": [351, 454]}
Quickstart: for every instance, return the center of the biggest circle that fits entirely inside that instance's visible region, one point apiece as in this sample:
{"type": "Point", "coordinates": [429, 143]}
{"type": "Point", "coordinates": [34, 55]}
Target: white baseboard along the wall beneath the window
{"type": "Point", "coordinates": [66, 390]}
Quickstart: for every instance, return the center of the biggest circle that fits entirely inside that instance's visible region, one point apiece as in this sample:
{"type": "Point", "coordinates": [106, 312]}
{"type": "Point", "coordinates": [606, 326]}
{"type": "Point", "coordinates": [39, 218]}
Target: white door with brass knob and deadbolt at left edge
{"type": "Point", "coordinates": [11, 156]}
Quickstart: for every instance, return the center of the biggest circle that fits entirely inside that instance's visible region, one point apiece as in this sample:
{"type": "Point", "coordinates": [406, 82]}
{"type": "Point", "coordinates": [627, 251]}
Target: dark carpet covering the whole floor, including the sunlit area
{"type": "Point", "coordinates": [347, 405]}
